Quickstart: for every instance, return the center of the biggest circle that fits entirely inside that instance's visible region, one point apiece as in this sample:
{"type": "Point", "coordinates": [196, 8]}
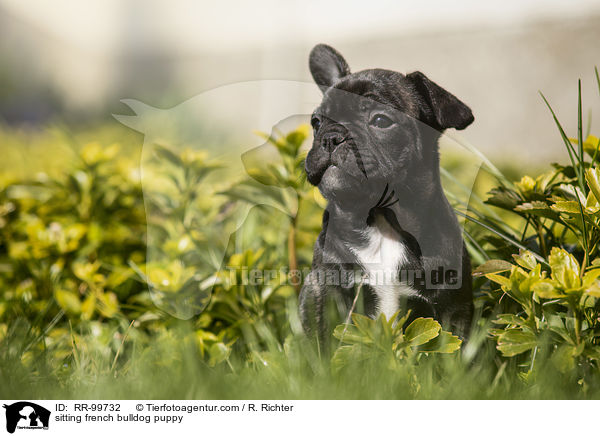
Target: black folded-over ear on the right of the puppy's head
{"type": "Point", "coordinates": [442, 110]}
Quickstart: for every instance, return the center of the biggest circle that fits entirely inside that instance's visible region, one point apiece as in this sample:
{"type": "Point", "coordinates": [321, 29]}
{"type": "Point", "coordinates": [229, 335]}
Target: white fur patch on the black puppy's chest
{"type": "Point", "coordinates": [381, 259]}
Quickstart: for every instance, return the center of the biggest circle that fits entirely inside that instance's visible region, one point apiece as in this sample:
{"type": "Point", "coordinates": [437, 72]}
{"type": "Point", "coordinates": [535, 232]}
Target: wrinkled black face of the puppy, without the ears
{"type": "Point", "coordinates": [366, 134]}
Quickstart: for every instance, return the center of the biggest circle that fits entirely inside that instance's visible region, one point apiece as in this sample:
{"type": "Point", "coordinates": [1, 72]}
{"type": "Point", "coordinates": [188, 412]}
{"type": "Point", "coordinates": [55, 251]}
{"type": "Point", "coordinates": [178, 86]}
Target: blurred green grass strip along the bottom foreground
{"type": "Point", "coordinates": [170, 366]}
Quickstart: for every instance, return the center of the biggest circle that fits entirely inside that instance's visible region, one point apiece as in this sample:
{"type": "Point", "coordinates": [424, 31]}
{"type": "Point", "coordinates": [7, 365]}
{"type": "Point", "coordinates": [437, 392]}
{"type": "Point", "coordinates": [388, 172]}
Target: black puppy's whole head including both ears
{"type": "Point", "coordinates": [374, 127]}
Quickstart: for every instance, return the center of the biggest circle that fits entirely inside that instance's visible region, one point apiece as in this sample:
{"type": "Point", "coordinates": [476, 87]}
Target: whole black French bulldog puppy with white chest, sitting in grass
{"type": "Point", "coordinates": [389, 232]}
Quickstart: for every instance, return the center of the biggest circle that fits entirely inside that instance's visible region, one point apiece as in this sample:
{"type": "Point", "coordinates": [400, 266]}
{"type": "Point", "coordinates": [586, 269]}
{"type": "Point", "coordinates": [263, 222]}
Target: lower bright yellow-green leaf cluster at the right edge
{"type": "Point", "coordinates": [559, 309]}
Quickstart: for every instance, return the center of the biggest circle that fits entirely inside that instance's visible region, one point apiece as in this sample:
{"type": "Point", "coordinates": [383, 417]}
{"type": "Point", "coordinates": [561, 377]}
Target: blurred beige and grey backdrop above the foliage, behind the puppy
{"type": "Point", "coordinates": [71, 62]}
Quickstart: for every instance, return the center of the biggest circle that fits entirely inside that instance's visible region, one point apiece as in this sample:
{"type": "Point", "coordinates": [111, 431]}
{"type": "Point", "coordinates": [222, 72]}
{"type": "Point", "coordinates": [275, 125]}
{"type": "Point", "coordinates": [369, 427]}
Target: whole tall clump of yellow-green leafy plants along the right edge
{"type": "Point", "coordinates": [555, 283]}
